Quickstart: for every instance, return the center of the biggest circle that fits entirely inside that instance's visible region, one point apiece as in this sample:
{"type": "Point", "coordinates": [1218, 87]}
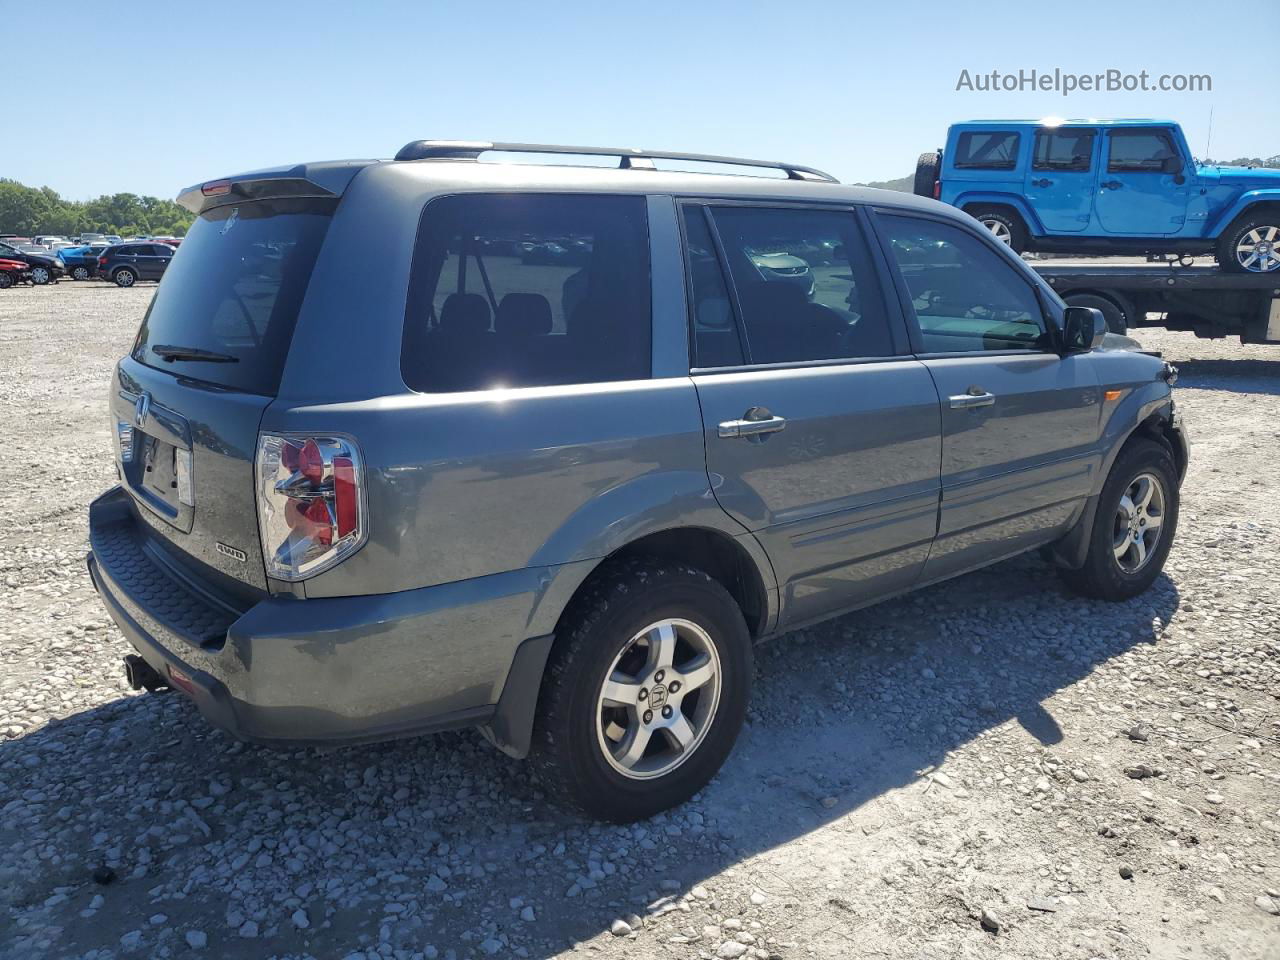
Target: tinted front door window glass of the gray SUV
{"type": "Point", "coordinates": [966, 296]}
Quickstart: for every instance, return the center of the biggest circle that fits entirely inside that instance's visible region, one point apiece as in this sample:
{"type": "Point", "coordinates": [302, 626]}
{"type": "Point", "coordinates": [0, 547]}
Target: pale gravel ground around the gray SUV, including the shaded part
{"type": "Point", "coordinates": [986, 769]}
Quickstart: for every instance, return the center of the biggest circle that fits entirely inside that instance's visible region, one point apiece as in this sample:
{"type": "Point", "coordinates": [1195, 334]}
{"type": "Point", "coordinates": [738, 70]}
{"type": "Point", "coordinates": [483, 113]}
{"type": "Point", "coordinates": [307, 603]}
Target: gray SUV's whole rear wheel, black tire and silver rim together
{"type": "Point", "coordinates": [580, 744]}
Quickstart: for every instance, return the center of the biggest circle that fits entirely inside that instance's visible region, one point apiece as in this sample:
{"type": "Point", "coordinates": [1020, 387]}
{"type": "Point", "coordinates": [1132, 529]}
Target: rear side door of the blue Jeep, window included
{"type": "Point", "coordinates": [1060, 179]}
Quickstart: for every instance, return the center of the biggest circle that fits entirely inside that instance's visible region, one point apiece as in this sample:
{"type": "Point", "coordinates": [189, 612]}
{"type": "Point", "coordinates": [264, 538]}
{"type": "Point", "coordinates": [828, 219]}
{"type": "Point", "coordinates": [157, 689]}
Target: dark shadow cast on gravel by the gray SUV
{"type": "Point", "coordinates": [444, 842]}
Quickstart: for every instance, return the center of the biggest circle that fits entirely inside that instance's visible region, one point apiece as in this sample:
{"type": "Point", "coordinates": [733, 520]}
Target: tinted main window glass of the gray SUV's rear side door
{"type": "Point", "coordinates": [806, 285]}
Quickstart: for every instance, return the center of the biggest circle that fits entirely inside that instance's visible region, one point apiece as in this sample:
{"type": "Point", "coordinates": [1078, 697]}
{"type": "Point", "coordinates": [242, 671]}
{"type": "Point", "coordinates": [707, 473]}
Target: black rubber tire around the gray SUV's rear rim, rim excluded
{"type": "Point", "coordinates": [624, 600]}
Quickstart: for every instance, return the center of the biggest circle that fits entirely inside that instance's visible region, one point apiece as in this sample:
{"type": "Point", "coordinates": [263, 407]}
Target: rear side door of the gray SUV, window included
{"type": "Point", "coordinates": [822, 432]}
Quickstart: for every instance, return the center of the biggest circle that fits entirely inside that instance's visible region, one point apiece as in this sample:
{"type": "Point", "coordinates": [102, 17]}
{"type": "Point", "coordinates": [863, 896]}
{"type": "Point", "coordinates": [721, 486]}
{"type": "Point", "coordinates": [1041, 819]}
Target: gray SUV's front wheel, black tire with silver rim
{"type": "Point", "coordinates": [1105, 575]}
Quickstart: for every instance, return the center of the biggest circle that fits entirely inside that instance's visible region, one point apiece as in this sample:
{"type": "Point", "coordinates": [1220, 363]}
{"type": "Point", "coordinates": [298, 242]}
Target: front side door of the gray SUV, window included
{"type": "Point", "coordinates": [1021, 423]}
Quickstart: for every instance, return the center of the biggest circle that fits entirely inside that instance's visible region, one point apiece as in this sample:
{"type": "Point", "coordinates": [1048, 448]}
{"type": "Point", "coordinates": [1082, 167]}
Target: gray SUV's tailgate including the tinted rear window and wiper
{"type": "Point", "coordinates": [208, 360]}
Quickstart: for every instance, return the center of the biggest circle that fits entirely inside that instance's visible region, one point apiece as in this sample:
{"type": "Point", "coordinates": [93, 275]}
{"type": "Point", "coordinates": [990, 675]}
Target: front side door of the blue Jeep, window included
{"type": "Point", "coordinates": [1140, 194]}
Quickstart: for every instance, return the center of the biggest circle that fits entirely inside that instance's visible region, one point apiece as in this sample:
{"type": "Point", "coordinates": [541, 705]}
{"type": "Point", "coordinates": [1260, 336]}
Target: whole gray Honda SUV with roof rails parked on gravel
{"type": "Point", "coordinates": [546, 449]}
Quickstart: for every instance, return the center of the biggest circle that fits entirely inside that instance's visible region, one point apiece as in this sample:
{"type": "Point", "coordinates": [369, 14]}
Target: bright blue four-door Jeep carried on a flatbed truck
{"type": "Point", "coordinates": [1105, 188]}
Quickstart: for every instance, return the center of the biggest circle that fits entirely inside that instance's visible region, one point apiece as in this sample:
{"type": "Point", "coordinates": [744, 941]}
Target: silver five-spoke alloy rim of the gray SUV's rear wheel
{"type": "Point", "coordinates": [659, 700]}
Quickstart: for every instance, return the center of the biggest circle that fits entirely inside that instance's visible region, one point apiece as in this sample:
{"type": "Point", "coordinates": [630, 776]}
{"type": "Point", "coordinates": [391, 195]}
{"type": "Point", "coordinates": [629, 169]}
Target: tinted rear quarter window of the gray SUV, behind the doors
{"type": "Point", "coordinates": [527, 290]}
